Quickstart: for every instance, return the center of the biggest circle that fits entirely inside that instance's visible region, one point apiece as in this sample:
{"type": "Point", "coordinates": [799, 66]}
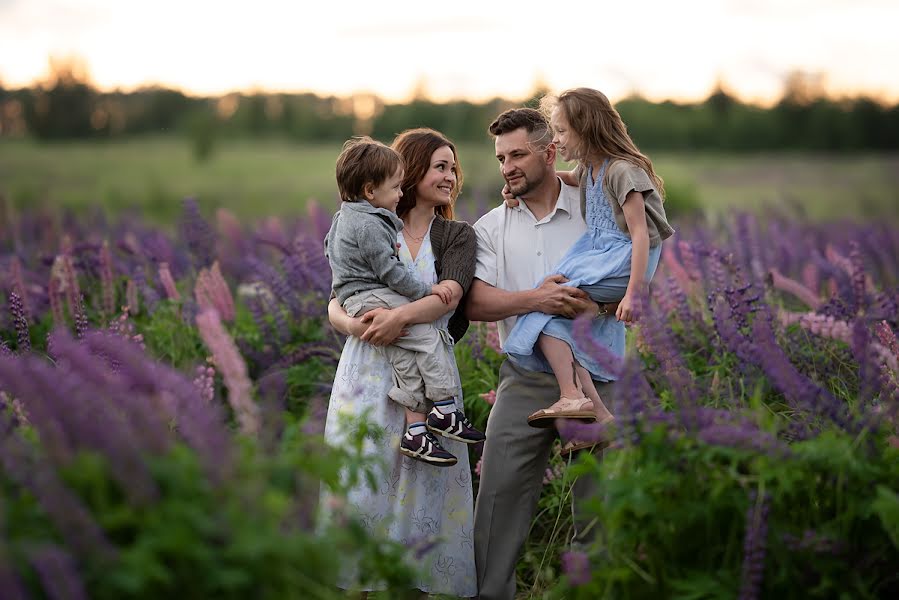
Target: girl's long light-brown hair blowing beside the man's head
{"type": "Point", "coordinates": [602, 132]}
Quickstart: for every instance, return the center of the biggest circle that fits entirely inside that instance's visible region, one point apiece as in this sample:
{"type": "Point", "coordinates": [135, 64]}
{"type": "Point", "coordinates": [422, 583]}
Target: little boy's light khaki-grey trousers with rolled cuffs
{"type": "Point", "coordinates": [422, 366]}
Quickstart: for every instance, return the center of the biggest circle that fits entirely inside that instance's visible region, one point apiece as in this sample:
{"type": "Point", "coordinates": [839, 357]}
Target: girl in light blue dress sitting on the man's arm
{"type": "Point", "coordinates": [614, 259]}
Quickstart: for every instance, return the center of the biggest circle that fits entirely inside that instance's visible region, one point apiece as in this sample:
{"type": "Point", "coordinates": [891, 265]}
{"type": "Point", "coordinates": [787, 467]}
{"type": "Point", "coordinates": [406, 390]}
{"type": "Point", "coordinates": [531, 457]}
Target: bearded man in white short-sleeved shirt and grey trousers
{"type": "Point", "coordinates": [516, 247]}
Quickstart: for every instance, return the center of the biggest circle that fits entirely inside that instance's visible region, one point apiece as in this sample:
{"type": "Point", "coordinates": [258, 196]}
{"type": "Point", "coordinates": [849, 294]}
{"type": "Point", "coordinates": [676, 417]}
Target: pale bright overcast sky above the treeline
{"type": "Point", "coordinates": [465, 48]}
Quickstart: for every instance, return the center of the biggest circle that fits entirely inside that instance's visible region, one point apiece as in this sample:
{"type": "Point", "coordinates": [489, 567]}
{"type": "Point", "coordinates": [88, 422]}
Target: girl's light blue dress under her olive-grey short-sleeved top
{"type": "Point", "coordinates": [600, 263]}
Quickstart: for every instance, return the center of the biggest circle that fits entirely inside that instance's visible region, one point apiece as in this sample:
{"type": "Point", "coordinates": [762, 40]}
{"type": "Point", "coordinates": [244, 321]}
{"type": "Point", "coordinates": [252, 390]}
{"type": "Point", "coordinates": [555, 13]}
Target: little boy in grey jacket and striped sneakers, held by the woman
{"type": "Point", "coordinates": [367, 274]}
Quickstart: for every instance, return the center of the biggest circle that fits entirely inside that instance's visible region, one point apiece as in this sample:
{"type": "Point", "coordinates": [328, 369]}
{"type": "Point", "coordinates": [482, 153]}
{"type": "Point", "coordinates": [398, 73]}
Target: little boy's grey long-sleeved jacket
{"type": "Point", "coordinates": [361, 248]}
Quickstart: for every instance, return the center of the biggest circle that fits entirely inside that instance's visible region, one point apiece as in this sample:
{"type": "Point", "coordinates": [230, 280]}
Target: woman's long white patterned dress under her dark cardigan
{"type": "Point", "coordinates": [415, 503]}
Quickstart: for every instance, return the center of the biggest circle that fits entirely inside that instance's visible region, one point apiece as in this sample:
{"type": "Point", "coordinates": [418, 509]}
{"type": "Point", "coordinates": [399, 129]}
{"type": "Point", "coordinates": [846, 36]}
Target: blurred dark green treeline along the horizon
{"type": "Point", "coordinates": [804, 119]}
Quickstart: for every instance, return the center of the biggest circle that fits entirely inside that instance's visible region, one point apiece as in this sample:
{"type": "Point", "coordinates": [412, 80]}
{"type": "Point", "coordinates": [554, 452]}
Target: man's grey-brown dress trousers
{"type": "Point", "coordinates": [514, 462]}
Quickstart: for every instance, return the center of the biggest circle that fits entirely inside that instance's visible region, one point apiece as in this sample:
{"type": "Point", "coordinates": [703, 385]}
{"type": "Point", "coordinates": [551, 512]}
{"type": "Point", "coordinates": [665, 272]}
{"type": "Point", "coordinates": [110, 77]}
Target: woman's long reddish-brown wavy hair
{"type": "Point", "coordinates": [416, 147]}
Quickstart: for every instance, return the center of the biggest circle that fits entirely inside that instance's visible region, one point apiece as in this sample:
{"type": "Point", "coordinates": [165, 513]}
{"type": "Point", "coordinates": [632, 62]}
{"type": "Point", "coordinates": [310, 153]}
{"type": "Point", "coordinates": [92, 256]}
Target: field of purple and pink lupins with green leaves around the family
{"type": "Point", "coordinates": [162, 397]}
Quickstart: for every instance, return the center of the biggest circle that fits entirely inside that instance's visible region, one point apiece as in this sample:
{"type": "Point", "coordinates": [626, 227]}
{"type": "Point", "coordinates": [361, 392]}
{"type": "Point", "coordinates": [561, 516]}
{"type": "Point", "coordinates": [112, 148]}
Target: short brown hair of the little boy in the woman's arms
{"type": "Point", "coordinates": [364, 160]}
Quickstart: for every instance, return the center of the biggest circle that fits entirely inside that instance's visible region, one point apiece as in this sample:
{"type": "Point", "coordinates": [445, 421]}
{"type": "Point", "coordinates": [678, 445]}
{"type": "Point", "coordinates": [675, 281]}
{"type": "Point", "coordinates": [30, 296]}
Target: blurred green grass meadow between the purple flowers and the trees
{"type": "Point", "coordinates": [260, 178]}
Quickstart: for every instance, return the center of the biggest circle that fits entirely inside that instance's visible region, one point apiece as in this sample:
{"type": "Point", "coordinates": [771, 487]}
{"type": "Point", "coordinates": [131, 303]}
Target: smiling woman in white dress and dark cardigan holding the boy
{"type": "Point", "coordinates": [414, 503]}
